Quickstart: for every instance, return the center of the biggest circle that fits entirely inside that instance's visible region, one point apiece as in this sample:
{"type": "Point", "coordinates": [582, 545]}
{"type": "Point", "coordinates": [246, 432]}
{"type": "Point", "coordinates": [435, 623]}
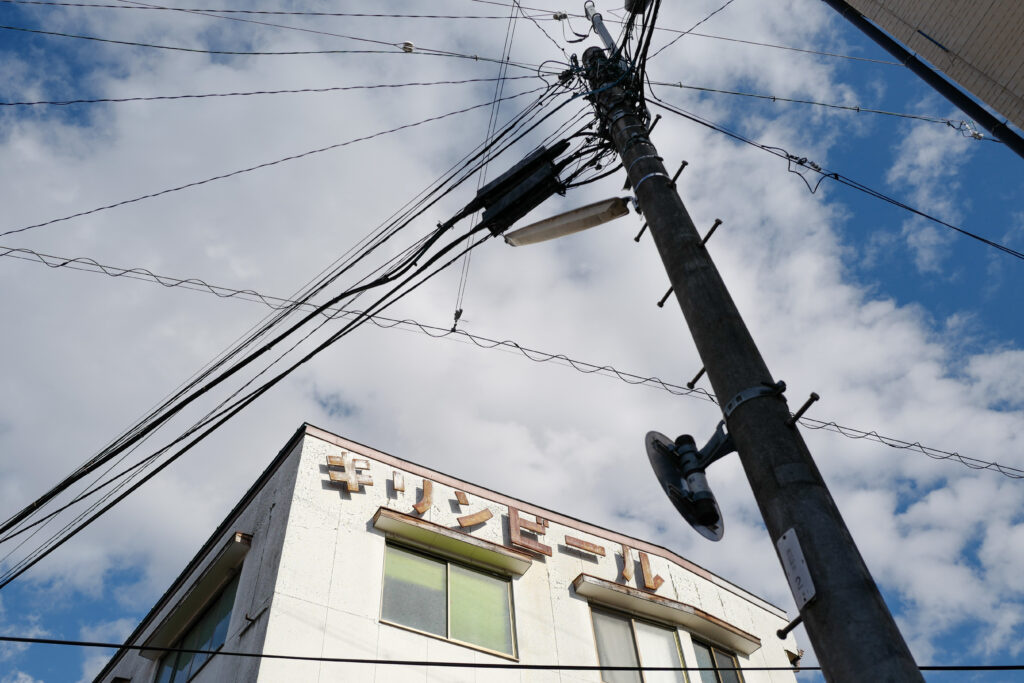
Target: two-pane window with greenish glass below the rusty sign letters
{"type": "Point", "coordinates": [448, 601]}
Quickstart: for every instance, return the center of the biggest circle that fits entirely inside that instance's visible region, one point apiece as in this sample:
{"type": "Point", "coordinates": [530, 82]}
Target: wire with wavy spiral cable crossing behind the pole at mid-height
{"type": "Point", "coordinates": [277, 304]}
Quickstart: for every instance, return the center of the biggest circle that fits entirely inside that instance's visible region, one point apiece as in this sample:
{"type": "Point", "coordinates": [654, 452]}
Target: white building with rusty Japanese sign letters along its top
{"type": "Point", "coordinates": [342, 551]}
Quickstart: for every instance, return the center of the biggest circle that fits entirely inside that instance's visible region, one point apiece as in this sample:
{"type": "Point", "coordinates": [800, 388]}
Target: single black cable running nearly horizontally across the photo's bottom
{"type": "Point", "coordinates": [462, 665]}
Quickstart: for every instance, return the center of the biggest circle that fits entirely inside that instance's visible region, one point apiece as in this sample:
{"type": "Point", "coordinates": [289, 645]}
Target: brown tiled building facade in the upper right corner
{"type": "Point", "coordinates": [977, 45]}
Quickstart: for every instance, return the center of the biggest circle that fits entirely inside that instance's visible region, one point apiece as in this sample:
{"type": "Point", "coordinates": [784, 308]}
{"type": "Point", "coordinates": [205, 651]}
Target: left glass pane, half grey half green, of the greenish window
{"type": "Point", "coordinates": [414, 592]}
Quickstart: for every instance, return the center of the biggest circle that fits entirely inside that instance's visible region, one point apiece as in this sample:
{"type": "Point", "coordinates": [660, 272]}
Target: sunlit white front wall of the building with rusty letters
{"type": "Point", "coordinates": [328, 594]}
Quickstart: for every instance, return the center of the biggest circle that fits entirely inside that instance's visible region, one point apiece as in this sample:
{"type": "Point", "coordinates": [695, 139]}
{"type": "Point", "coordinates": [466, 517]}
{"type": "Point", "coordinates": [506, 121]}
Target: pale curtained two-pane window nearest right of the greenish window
{"type": "Point", "coordinates": [623, 642]}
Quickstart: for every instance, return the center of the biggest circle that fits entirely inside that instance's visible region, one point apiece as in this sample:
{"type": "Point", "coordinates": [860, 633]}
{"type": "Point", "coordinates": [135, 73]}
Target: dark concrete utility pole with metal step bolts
{"type": "Point", "coordinates": [849, 625]}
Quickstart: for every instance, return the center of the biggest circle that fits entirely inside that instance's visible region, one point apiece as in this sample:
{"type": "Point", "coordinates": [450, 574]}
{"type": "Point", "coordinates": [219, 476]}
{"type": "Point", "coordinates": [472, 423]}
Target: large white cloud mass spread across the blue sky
{"type": "Point", "coordinates": [94, 354]}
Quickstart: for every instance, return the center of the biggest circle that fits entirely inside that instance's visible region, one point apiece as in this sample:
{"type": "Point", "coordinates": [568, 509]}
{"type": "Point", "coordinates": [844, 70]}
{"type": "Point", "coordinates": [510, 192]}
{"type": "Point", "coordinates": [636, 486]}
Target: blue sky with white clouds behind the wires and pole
{"type": "Point", "coordinates": [904, 327]}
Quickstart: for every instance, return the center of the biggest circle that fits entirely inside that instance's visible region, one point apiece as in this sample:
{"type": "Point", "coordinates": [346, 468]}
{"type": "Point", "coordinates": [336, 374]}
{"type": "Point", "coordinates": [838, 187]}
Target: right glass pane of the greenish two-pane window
{"type": "Point", "coordinates": [481, 613]}
